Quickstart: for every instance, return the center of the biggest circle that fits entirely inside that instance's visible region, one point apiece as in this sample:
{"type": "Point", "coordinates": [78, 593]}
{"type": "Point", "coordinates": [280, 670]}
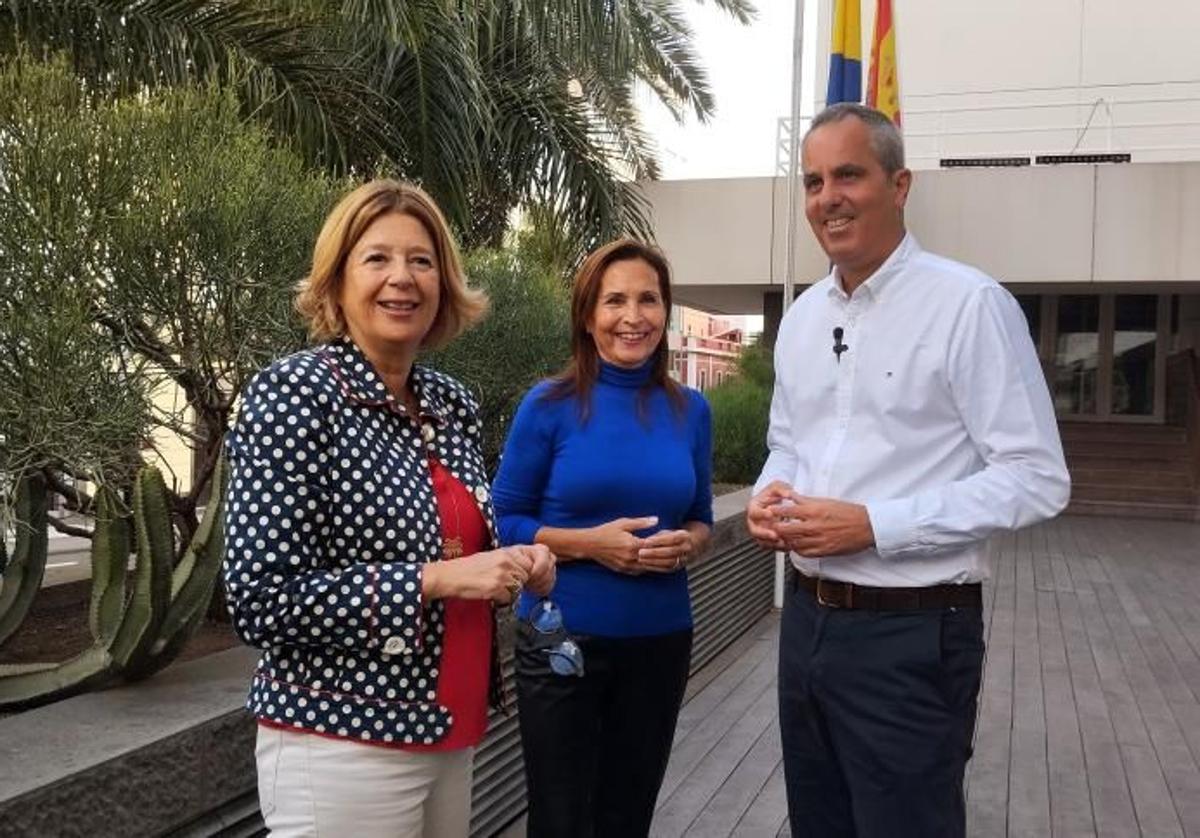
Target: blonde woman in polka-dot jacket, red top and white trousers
{"type": "Point", "coordinates": [356, 478]}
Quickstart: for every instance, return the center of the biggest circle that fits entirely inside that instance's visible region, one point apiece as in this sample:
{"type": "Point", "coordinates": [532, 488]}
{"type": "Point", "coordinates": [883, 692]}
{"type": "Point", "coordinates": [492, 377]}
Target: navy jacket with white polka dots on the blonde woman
{"type": "Point", "coordinates": [331, 518]}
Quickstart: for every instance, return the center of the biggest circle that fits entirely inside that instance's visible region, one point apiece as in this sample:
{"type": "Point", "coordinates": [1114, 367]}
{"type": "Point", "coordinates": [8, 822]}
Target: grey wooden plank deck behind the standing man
{"type": "Point", "coordinates": [1090, 714]}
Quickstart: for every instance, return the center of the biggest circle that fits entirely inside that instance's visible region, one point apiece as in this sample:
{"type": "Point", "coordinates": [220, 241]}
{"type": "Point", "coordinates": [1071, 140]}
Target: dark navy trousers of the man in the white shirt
{"type": "Point", "coordinates": [877, 711]}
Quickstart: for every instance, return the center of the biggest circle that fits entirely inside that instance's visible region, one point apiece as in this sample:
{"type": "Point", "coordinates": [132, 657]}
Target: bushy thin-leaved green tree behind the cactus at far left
{"type": "Point", "coordinates": [148, 244]}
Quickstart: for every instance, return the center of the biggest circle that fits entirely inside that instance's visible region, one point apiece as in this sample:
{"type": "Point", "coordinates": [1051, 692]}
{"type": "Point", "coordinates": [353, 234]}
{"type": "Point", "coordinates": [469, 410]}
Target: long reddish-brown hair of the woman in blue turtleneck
{"type": "Point", "coordinates": [580, 376]}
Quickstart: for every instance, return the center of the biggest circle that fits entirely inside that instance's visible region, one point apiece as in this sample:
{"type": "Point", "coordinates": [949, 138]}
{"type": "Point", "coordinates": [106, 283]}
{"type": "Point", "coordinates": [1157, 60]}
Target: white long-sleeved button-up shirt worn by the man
{"type": "Point", "coordinates": [937, 418]}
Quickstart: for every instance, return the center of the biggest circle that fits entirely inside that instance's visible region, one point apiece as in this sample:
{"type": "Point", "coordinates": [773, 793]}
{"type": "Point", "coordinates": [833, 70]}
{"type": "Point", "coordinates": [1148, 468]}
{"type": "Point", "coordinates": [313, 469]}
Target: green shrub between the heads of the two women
{"type": "Point", "coordinates": [525, 339]}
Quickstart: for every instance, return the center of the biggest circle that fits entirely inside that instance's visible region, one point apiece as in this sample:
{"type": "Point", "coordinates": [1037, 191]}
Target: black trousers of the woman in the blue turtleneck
{"type": "Point", "coordinates": [597, 749]}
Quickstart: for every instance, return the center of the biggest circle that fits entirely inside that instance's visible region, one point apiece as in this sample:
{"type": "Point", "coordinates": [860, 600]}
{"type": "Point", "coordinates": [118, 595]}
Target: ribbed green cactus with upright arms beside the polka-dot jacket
{"type": "Point", "coordinates": [135, 633]}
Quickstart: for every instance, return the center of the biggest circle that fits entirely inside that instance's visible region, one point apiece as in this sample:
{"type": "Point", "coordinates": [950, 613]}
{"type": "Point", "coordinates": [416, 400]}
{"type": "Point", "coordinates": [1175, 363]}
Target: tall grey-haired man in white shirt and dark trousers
{"type": "Point", "coordinates": [910, 421]}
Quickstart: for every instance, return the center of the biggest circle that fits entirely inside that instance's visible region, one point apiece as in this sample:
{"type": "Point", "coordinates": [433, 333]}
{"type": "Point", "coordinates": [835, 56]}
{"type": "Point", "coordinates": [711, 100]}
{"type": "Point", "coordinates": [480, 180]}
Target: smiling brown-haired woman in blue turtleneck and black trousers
{"type": "Point", "coordinates": [609, 465]}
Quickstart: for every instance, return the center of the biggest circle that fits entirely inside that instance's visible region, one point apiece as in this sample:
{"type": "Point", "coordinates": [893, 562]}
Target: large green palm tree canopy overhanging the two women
{"type": "Point", "coordinates": [489, 104]}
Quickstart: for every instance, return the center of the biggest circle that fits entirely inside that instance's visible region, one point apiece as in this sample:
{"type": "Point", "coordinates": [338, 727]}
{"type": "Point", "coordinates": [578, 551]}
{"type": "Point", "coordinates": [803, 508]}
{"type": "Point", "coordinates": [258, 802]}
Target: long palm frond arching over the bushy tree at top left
{"type": "Point", "coordinates": [281, 64]}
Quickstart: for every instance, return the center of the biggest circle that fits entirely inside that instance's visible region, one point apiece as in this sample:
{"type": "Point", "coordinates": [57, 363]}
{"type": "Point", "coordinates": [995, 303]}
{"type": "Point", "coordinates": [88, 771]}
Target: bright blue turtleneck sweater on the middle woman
{"type": "Point", "coordinates": [559, 471]}
